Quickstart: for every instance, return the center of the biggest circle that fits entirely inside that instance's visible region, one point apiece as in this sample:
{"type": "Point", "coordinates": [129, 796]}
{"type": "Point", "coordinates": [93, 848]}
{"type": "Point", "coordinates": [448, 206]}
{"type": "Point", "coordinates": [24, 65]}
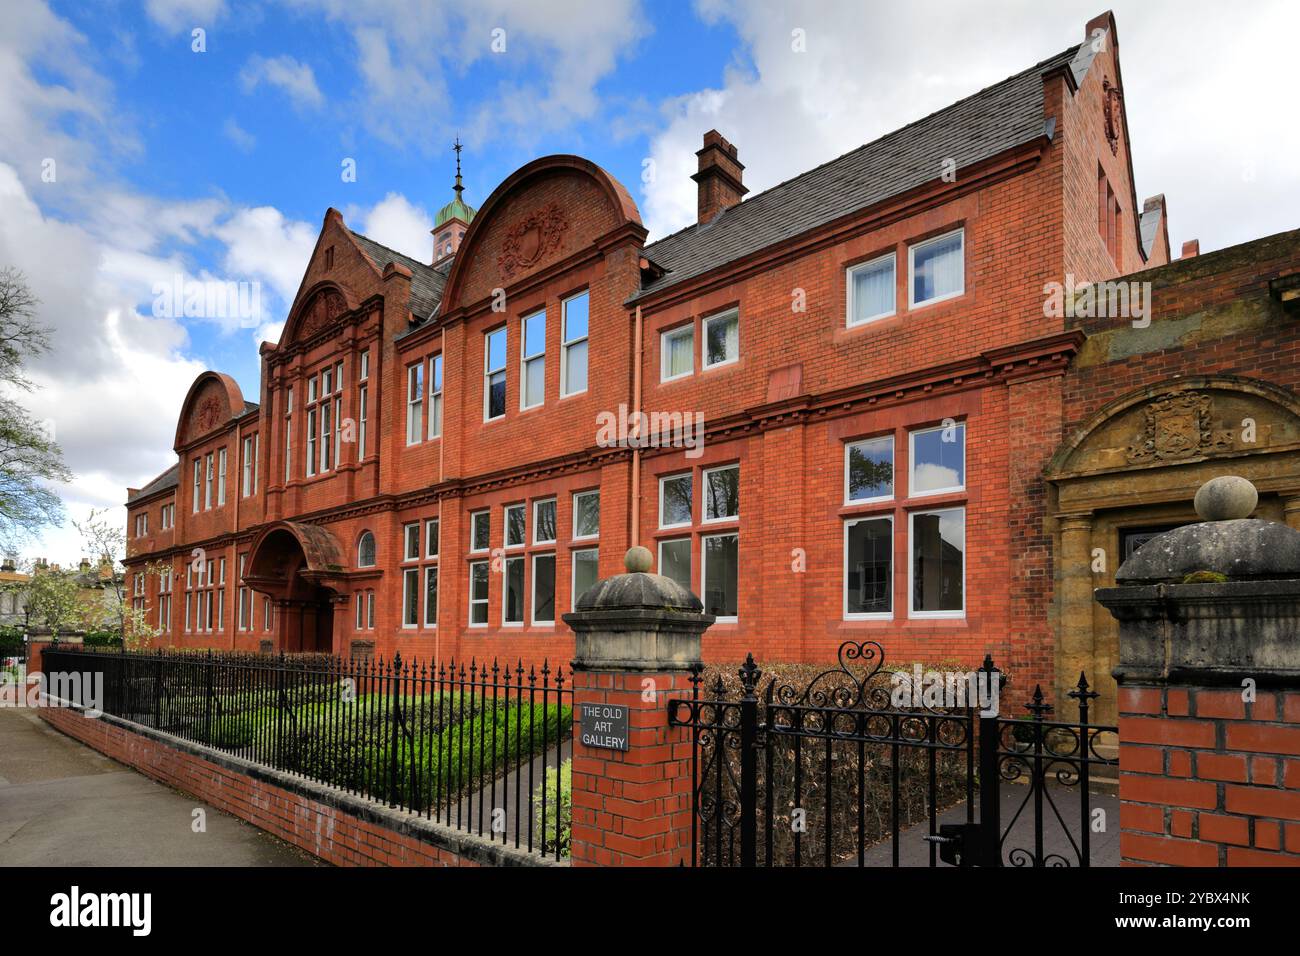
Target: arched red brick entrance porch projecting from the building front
{"type": "Point", "coordinates": [298, 568]}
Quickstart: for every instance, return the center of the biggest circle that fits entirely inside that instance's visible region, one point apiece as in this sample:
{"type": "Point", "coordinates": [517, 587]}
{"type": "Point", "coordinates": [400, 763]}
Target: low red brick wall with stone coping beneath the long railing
{"type": "Point", "coordinates": [339, 828]}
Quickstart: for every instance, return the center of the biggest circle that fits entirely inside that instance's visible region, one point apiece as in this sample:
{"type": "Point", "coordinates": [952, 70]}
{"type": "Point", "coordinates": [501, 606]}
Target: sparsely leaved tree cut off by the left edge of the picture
{"type": "Point", "coordinates": [29, 456]}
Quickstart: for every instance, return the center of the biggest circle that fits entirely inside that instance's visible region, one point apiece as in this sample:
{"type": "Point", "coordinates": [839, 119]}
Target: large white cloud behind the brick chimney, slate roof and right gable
{"type": "Point", "coordinates": [1188, 96]}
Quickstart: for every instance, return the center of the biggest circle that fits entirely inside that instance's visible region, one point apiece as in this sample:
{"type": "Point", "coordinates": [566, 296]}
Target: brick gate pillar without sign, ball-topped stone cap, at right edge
{"type": "Point", "coordinates": [1210, 690]}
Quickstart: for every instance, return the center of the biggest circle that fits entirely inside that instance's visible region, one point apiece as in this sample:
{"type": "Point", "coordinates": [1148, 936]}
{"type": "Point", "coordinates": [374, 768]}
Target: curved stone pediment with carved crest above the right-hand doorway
{"type": "Point", "coordinates": [1182, 422]}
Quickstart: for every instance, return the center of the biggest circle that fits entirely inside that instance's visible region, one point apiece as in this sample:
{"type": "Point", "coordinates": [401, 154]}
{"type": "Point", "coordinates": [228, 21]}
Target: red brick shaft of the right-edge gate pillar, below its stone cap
{"type": "Point", "coordinates": [1207, 780]}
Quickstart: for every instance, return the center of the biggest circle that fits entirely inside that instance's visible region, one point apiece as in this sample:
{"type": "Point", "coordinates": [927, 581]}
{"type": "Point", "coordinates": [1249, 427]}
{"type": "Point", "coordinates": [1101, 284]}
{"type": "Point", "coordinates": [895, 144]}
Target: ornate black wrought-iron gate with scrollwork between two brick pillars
{"type": "Point", "coordinates": [839, 773]}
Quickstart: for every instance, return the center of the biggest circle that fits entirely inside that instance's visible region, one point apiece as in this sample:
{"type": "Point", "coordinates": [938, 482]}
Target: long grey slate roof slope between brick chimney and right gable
{"type": "Point", "coordinates": [978, 128]}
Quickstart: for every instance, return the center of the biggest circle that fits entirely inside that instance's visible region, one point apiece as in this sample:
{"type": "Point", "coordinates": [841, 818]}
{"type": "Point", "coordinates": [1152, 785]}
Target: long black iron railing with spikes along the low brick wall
{"type": "Point", "coordinates": [476, 747]}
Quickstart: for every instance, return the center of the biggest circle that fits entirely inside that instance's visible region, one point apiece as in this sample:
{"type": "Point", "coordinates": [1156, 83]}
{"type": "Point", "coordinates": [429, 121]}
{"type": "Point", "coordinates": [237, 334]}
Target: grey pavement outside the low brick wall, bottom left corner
{"type": "Point", "coordinates": [63, 804]}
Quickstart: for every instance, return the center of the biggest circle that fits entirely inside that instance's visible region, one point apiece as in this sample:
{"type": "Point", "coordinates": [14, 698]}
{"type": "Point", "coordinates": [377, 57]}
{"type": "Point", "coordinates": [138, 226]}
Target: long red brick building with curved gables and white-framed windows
{"type": "Point", "coordinates": [430, 468]}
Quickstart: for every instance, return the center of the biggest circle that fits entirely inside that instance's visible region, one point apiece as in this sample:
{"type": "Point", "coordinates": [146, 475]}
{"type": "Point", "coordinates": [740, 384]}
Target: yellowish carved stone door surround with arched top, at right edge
{"type": "Point", "coordinates": [1133, 469]}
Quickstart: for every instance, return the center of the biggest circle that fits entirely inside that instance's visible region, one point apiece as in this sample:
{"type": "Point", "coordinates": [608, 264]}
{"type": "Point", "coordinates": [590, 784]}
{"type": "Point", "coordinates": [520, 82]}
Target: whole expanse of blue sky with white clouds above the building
{"type": "Point", "coordinates": [220, 165]}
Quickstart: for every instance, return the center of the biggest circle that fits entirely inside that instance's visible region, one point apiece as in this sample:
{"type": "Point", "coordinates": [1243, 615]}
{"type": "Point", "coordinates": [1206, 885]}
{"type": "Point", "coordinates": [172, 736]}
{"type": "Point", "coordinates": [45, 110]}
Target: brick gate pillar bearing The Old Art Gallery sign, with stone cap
{"type": "Point", "coordinates": [638, 642]}
